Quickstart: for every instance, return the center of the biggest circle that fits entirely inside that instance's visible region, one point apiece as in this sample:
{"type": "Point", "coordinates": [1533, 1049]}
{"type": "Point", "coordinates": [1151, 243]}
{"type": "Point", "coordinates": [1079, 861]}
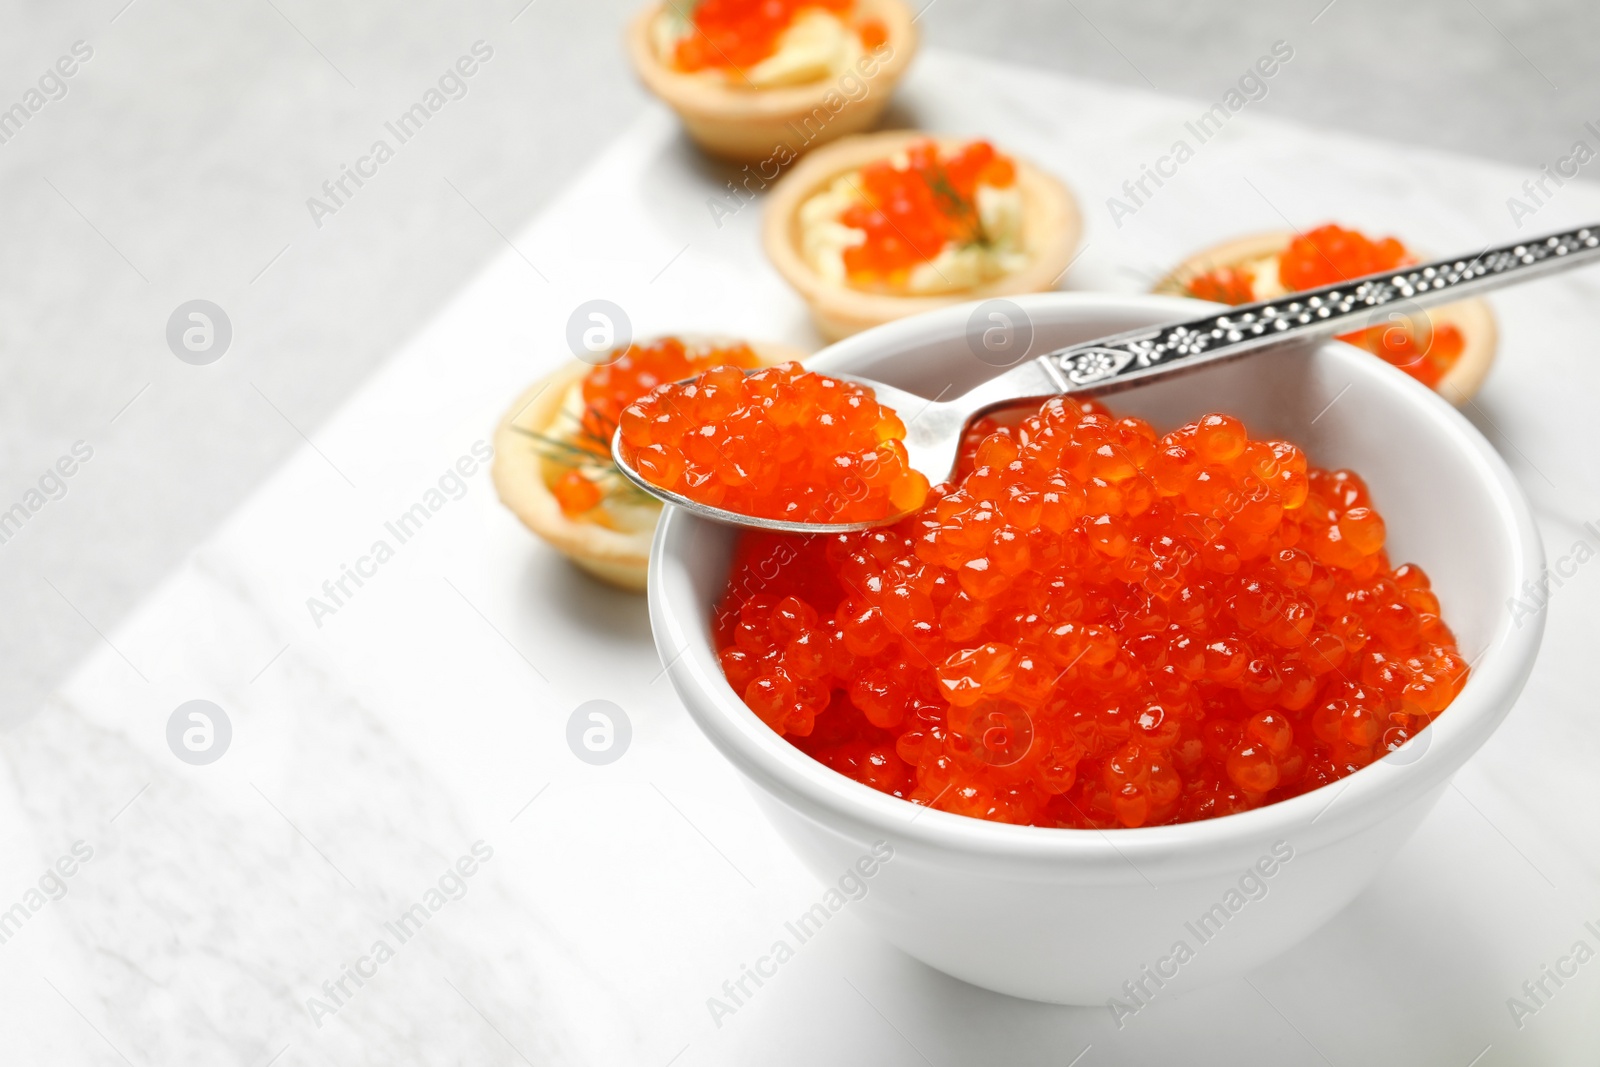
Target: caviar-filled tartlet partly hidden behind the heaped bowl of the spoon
{"type": "Point", "coordinates": [553, 450]}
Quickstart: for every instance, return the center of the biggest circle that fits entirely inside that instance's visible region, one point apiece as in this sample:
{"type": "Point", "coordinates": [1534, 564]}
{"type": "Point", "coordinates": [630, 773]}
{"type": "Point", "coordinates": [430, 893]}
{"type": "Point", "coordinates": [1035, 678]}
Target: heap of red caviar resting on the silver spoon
{"type": "Point", "coordinates": [778, 444]}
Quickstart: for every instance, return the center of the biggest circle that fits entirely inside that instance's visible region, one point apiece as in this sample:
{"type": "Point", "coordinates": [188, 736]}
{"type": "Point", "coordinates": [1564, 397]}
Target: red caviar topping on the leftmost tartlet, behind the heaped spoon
{"type": "Point", "coordinates": [610, 388]}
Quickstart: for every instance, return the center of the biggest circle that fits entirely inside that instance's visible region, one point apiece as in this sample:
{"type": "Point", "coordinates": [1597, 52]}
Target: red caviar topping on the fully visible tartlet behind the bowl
{"type": "Point", "coordinates": [911, 214]}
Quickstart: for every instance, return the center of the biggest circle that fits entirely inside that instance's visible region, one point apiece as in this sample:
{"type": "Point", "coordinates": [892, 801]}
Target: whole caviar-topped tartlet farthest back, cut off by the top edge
{"type": "Point", "coordinates": [767, 81]}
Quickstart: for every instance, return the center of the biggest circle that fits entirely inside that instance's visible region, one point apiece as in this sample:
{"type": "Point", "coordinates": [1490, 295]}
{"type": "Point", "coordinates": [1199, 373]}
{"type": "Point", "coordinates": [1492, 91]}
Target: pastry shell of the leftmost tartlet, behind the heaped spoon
{"type": "Point", "coordinates": [612, 556]}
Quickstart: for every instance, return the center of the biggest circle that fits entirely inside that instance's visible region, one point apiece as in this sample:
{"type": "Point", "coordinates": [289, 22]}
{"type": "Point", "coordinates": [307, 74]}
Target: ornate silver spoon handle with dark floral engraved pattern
{"type": "Point", "coordinates": [1332, 310]}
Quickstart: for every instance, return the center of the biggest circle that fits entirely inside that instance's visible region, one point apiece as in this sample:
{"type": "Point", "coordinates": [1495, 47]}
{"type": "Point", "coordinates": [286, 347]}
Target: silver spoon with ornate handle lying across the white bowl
{"type": "Point", "coordinates": [935, 436]}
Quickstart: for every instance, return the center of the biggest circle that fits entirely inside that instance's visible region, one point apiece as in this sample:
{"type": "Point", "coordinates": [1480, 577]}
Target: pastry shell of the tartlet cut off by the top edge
{"type": "Point", "coordinates": [750, 126]}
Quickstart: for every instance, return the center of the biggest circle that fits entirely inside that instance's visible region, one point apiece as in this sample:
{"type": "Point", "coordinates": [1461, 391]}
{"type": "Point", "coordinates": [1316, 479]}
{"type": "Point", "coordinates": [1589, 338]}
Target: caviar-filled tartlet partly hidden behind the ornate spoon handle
{"type": "Point", "coordinates": [1449, 348]}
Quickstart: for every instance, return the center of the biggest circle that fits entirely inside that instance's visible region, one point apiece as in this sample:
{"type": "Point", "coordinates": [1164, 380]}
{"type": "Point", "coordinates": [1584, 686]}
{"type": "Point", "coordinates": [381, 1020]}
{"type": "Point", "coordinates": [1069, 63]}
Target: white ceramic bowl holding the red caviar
{"type": "Point", "coordinates": [1081, 916]}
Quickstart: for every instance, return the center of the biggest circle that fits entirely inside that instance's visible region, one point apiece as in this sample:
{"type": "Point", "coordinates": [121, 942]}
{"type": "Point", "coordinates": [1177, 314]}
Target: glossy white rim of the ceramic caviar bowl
{"type": "Point", "coordinates": [1366, 797]}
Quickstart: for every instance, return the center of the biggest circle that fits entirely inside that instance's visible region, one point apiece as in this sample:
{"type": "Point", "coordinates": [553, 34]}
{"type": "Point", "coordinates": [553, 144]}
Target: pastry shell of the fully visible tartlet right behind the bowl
{"type": "Point", "coordinates": [1052, 226]}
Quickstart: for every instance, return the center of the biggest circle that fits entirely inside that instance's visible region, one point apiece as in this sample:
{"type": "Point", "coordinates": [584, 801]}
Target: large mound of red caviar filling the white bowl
{"type": "Point", "coordinates": [1097, 626]}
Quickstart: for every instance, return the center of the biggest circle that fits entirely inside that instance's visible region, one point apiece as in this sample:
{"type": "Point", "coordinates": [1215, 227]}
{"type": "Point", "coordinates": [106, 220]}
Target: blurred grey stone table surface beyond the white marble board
{"type": "Point", "coordinates": [177, 162]}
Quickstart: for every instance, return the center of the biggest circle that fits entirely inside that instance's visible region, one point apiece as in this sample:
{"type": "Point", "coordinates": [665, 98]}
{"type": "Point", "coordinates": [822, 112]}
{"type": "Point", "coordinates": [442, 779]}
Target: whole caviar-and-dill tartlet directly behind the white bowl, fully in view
{"type": "Point", "coordinates": [892, 225]}
